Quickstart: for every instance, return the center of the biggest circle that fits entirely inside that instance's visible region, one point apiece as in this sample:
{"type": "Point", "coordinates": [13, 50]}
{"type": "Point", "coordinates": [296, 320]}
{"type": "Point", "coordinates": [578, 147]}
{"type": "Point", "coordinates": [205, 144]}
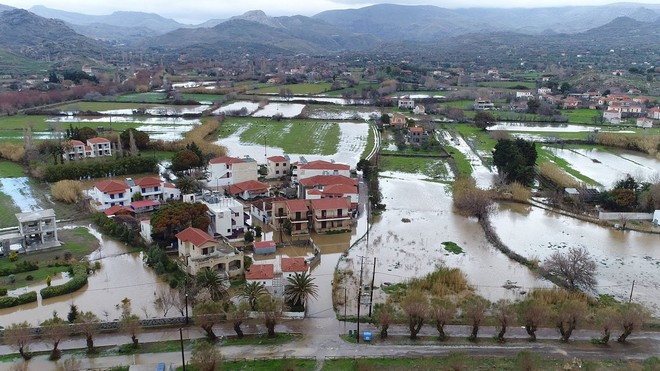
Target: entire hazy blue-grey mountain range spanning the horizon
{"type": "Point", "coordinates": [44, 33]}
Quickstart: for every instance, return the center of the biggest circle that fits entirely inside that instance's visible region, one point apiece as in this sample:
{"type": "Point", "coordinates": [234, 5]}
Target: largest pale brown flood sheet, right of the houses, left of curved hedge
{"type": "Point", "coordinates": [407, 242]}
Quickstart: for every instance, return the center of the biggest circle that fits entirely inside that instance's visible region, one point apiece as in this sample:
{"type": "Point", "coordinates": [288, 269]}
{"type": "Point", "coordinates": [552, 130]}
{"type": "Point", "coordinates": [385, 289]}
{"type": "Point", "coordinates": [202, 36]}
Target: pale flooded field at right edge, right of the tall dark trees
{"type": "Point", "coordinates": [607, 167]}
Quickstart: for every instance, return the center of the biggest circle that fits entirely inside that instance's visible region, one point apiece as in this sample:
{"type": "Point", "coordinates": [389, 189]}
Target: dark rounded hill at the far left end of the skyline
{"type": "Point", "coordinates": [28, 35]}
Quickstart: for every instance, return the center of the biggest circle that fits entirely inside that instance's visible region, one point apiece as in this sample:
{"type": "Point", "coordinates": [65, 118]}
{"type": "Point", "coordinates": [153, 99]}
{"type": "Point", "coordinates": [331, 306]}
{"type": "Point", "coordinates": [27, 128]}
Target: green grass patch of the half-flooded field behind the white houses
{"type": "Point", "coordinates": [320, 138]}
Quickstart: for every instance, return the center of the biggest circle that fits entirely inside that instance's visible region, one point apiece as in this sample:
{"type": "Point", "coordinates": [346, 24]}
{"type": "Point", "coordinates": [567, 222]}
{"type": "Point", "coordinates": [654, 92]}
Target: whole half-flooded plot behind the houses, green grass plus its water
{"type": "Point", "coordinates": [344, 142]}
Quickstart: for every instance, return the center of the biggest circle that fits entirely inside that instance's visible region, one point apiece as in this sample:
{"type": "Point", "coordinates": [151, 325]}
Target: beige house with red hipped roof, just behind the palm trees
{"type": "Point", "coordinates": [198, 250]}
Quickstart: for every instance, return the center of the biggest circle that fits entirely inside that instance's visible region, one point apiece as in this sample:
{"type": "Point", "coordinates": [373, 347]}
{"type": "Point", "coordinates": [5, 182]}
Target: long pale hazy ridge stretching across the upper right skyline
{"type": "Point", "coordinates": [427, 23]}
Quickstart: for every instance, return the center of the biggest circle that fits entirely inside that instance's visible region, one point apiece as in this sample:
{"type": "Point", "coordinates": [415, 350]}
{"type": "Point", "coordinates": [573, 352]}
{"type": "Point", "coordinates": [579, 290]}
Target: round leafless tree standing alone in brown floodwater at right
{"type": "Point", "coordinates": [576, 269]}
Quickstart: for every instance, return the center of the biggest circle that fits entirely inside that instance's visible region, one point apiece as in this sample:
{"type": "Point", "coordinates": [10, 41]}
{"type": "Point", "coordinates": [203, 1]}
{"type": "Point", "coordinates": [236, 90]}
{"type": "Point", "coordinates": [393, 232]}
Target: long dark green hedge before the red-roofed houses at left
{"type": "Point", "coordinates": [100, 168]}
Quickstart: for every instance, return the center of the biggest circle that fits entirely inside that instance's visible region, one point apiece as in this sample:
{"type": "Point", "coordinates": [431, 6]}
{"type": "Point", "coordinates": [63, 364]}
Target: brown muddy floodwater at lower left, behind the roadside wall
{"type": "Point", "coordinates": [122, 275]}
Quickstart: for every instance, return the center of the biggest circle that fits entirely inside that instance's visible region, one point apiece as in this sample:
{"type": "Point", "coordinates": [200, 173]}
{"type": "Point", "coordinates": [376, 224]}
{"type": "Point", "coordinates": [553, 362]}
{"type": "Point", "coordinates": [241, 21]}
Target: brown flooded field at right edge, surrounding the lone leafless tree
{"type": "Point", "coordinates": [622, 256]}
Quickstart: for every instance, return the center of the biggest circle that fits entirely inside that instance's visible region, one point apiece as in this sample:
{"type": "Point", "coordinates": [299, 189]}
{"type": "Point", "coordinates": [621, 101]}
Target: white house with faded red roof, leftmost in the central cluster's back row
{"type": "Point", "coordinates": [225, 171]}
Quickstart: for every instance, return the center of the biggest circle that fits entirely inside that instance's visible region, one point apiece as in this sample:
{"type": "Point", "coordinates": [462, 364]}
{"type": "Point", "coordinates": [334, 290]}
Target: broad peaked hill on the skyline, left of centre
{"type": "Point", "coordinates": [297, 34]}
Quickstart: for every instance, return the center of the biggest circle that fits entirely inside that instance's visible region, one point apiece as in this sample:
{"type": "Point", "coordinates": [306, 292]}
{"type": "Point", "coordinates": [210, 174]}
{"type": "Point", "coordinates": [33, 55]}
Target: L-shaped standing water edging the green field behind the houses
{"type": "Point", "coordinates": [352, 142]}
